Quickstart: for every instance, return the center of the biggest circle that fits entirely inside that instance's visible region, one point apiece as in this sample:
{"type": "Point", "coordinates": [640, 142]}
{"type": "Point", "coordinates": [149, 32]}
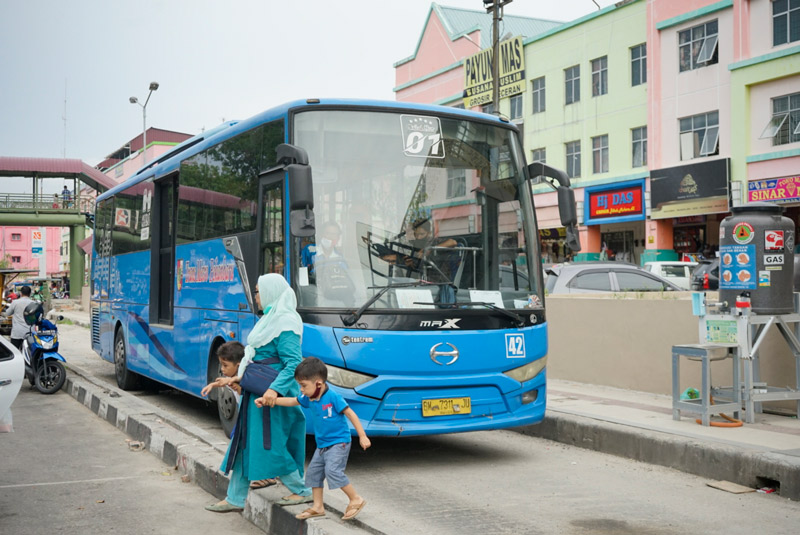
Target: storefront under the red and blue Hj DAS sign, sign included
{"type": "Point", "coordinates": [618, 211]}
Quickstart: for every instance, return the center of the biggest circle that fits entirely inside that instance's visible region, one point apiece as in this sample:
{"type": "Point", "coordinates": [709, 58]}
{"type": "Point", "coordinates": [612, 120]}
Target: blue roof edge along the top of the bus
{"type": "Point", "coordinates": [169, 162]}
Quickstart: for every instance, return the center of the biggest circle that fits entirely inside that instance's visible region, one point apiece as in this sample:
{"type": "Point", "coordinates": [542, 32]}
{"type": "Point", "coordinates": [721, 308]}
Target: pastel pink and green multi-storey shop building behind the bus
{"type": "Point", "coordinates": [664, 113]}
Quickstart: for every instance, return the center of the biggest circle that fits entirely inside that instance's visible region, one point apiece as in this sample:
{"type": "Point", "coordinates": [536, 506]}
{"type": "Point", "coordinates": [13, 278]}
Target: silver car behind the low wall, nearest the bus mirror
{"type": "Point", "coordinates": [604, 277]}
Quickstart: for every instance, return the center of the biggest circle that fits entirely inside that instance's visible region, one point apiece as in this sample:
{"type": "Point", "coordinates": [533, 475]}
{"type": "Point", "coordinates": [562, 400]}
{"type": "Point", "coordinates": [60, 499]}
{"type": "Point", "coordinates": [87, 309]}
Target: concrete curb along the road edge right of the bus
{"type": "Point", "coordinates": [749, 467]}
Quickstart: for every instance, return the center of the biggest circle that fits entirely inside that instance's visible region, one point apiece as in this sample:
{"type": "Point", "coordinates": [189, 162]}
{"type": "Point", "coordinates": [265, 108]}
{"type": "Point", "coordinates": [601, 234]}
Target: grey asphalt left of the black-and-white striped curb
{"type": "Point", "coordinates": [64, 470]}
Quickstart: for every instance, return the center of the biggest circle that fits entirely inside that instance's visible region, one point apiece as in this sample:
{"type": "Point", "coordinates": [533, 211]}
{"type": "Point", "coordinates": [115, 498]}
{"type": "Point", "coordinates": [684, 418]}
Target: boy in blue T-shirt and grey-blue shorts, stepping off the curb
{"type": "Point", "coordinates": [328, 410]}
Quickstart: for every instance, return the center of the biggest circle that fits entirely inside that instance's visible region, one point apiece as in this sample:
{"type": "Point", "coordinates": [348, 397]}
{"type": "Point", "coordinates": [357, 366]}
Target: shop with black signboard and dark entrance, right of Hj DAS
{"type": "Point", "coordinates": [695, 197]}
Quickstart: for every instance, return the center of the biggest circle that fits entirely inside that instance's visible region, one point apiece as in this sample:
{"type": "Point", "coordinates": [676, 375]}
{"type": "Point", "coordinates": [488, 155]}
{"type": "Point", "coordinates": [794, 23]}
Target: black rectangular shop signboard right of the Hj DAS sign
{"type": "Point", "coordinates": [695, 189]}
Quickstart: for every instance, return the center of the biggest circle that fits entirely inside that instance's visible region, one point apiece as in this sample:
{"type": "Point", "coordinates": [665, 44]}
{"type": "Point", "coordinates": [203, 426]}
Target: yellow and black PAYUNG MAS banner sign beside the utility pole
{"type": "Point", "coordinates": [478, 73]}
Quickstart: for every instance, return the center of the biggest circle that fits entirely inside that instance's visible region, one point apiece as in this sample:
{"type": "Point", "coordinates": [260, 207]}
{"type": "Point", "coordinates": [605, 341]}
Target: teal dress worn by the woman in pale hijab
{"type": "Point", "coordinates": [287, 424]}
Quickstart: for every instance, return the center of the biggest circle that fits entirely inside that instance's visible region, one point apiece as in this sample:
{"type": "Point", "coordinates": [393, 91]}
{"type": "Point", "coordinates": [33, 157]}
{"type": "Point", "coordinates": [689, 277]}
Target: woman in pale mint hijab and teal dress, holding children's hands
{"type": "Point", "coordinates": [277, 335]}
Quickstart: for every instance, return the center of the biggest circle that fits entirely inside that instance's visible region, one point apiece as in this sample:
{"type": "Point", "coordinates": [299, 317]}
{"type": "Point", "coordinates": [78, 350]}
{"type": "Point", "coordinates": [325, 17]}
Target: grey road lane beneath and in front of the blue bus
{"type": "Point", "coordinates": [502, 482]}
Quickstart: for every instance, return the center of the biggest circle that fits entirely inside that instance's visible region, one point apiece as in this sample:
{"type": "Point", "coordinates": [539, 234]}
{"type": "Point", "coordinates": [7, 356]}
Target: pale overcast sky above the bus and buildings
{"type": "Point", "coordinates": [214, 61]}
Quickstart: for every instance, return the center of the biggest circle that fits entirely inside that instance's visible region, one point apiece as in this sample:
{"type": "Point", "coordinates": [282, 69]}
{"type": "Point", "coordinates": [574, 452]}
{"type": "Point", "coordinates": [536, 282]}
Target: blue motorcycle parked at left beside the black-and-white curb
{"type": "Point", "coordinates": [44, 366]}
